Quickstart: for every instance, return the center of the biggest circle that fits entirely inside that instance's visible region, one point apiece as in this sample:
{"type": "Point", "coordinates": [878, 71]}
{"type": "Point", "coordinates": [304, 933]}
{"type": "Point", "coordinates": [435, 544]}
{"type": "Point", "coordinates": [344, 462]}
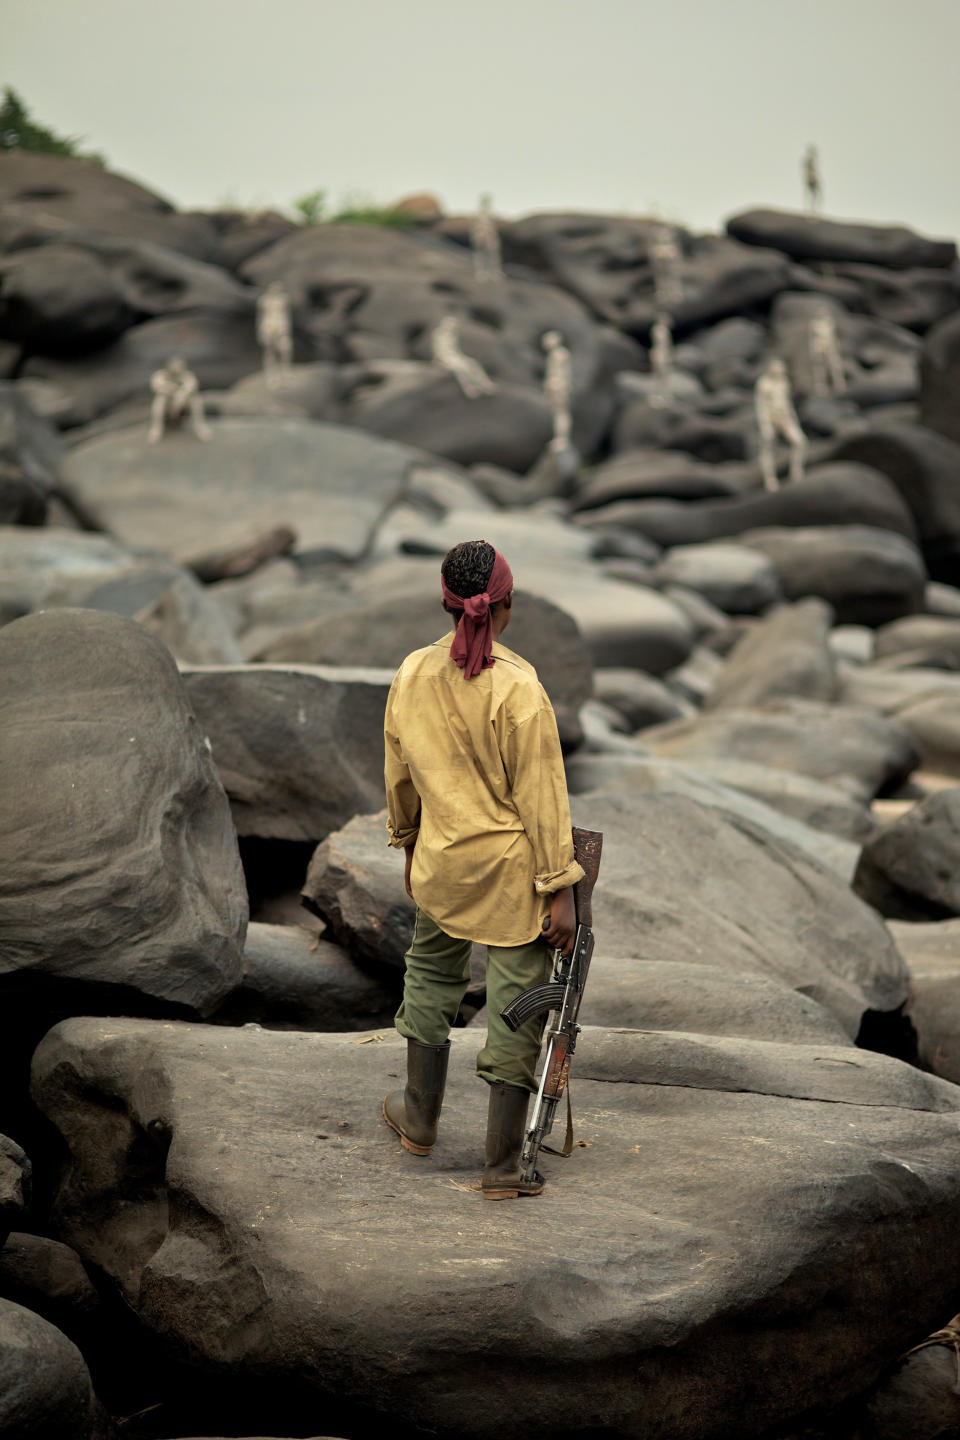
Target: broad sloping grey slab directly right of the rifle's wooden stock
{"type": "Point", "coordinates": [683, 882]}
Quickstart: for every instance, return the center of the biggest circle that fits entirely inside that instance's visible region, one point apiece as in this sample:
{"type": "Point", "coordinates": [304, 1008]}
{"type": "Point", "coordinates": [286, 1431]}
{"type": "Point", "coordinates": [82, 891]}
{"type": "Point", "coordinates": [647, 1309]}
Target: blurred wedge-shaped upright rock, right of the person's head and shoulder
{"type": "Point", "coordinates": [787, 654]}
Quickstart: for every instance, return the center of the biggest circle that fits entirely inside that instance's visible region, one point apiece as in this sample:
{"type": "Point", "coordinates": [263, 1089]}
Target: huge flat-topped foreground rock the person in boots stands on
{"type": "Point", "coordinates": [733, 1194]}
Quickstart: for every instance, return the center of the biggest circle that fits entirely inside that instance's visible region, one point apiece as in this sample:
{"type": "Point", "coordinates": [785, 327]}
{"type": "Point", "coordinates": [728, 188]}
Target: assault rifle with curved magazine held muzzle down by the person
{"type": "Point", "coordinates": [562, 996]}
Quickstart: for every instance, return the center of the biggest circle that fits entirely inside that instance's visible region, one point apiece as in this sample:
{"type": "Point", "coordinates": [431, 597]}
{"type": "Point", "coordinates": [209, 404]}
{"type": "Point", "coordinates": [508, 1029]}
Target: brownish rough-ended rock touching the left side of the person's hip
{"type": "Point", "coordinates": [355, 883]}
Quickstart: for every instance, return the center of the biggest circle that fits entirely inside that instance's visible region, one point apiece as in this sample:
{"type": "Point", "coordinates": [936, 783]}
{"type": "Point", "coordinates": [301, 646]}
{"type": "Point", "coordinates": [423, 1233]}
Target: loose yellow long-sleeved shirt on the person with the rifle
{"type": "Point", "coordinates": [476, 780]}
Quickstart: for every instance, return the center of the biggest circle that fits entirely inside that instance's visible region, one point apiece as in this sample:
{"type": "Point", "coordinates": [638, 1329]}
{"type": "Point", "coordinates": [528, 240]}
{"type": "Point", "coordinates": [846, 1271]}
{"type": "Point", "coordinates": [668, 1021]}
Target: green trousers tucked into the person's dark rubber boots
{"type": "Point", "coordinates": [438, 971]}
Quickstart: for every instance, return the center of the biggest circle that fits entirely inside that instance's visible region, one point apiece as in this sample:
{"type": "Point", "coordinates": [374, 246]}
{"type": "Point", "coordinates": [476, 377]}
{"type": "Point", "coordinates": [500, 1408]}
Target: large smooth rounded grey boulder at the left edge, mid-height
{"type": "Point", "coordinates": [122, 876]}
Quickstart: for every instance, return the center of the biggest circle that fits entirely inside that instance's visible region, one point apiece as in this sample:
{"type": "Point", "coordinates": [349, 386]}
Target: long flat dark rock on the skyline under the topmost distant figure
{"type": "Point", "coordinates": [815, 238]}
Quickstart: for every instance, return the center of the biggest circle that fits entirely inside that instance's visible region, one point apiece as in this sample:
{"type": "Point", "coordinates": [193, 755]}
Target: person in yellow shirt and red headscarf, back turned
{"type": "Point", "coordinates": [477, 798]}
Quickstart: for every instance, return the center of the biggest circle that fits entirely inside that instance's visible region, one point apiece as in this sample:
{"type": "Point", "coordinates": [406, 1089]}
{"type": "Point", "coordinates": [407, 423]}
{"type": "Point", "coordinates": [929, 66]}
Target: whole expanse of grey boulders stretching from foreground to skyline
{"type": "Point", "coordinates": [208, 1229]}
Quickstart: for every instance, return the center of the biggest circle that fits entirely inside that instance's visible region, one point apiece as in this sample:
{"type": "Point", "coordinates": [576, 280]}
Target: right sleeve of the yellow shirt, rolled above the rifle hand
{"type": "Point", "coordinates": [535, 770]}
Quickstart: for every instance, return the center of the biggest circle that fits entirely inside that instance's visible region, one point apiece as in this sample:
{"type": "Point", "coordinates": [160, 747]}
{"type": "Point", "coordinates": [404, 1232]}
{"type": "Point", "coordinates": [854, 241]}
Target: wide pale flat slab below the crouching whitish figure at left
{"type": "Point", "coordinates": [329, 485]}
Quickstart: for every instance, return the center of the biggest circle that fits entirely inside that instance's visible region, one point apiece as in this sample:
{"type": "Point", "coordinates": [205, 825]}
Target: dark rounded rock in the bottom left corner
{"type": "Point", "coordinates": [45, 1387]}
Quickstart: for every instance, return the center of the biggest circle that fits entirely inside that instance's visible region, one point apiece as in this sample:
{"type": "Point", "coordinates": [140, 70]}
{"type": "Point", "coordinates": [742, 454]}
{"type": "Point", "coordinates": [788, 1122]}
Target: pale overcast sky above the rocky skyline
{"type": "Point", "coordinates": [687, 109]}
